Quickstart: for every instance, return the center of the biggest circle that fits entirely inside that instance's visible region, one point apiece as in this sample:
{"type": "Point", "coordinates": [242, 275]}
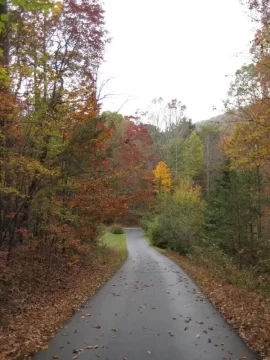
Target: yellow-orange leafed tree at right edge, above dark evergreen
{"type": "Point", "coordinates": [248, 146]}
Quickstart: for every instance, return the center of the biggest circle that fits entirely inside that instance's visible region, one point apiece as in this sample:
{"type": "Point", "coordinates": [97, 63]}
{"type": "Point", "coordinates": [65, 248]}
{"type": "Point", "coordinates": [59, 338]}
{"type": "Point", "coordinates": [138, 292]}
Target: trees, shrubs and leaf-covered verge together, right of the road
{"type": "Point", "coordinates": [212, 205]}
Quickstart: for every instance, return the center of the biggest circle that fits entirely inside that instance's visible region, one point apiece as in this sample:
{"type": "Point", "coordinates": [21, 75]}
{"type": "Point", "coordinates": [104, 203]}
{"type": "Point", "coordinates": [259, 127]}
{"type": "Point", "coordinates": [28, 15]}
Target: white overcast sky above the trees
{"type": "Point", "coordinates": [175, 49]}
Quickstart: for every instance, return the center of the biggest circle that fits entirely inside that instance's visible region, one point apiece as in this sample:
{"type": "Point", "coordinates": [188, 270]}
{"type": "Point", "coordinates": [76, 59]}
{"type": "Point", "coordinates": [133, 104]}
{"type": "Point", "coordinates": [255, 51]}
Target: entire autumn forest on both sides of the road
{"type": "Point", "coordinates": [67, 169]}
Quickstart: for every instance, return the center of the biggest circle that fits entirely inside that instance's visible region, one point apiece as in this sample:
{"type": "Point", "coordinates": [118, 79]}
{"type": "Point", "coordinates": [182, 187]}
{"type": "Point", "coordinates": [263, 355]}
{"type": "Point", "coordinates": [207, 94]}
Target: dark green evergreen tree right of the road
{"type": "Point", "coordinates": [231, 217]}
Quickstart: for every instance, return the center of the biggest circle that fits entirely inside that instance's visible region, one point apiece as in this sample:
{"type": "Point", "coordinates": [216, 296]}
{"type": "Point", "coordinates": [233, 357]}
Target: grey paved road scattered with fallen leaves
{"type": "Point", "coordinates": [150, 309]}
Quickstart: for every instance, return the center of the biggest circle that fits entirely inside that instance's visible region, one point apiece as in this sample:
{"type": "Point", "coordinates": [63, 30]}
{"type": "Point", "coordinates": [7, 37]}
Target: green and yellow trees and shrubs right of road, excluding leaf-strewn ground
{"type": "Point", "coordinates": [212, 183]}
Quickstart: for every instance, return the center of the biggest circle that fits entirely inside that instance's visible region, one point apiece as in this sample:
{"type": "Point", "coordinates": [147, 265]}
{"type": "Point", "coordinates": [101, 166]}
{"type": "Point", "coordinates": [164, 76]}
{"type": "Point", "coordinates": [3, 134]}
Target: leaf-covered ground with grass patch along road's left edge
{"type": "Point", "coordinates": [34, 303]}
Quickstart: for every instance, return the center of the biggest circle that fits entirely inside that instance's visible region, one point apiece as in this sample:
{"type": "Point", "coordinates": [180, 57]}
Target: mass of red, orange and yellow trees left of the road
{"type": "Point", "coordinates": [66, 169]}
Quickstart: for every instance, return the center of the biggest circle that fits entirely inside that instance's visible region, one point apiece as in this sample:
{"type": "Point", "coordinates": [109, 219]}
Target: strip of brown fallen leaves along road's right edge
{"type": "Point", "coordinates": [247, 311]}
